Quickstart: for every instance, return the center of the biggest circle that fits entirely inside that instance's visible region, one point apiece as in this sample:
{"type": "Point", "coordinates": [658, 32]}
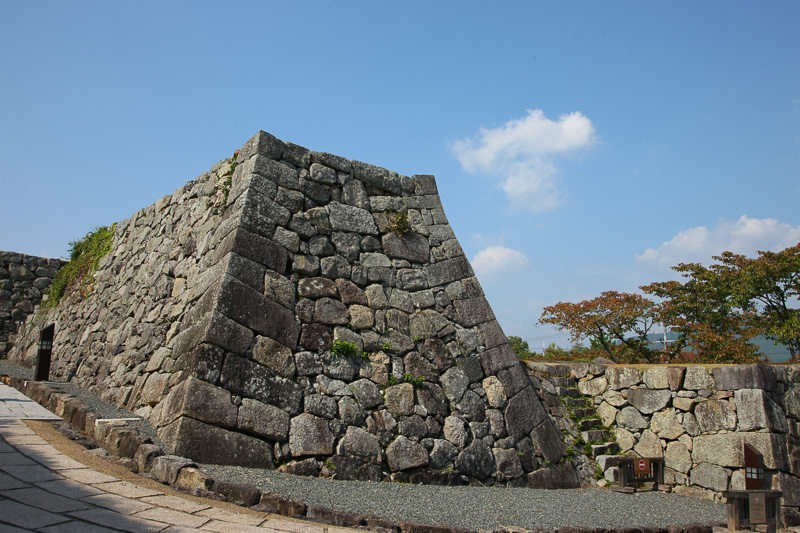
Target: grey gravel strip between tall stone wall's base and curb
{"type": "Point", "coordinates": [470, 507]}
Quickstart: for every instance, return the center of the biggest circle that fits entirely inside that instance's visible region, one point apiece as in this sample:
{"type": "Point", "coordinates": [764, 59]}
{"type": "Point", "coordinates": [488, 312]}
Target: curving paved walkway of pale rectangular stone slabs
{"type": "Point", "coordinates": [45, 490]}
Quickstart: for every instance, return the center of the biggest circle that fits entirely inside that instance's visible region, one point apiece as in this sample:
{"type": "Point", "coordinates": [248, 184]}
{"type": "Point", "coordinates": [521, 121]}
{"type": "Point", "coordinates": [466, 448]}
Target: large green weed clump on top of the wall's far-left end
{"type": "Point", "coordinates": [78, 274]}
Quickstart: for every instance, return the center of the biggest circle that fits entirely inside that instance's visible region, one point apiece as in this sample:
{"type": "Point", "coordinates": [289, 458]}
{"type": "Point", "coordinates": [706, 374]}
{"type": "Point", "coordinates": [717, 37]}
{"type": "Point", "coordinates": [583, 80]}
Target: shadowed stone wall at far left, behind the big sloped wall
{"type": "Point", "coordinates": [23, 280]}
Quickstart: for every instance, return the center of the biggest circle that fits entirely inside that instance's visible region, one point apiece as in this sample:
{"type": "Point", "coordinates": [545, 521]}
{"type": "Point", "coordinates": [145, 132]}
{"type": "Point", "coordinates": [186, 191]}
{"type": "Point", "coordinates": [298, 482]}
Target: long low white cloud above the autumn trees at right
{"type": "Point", "coordinates": [697, 245]}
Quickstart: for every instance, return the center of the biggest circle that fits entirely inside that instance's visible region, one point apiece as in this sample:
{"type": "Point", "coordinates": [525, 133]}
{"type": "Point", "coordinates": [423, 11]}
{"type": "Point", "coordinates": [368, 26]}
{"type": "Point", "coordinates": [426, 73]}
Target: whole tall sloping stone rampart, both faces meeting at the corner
{"type": "Point", "coordinates": [316, 313]}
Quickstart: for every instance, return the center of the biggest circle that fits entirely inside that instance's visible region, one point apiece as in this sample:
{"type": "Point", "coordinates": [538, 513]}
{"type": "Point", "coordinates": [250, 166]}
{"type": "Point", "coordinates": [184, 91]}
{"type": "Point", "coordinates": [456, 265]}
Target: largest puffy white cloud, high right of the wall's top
{"type": "Point", "coordinates": [520, 154]}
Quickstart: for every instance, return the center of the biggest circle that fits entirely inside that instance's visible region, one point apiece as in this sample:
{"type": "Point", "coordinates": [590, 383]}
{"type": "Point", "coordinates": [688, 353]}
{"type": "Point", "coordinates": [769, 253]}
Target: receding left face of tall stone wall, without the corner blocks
{"type": "Point", "coordinates": [116, 341]}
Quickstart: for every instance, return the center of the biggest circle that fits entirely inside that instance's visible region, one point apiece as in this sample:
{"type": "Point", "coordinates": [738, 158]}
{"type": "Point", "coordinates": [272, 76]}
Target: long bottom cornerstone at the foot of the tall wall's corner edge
{"type": "Point", "coordinates": [205, 443]}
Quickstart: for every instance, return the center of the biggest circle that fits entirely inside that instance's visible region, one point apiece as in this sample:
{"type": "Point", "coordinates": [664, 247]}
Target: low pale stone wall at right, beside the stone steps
{"type": "Point", "coordinates": [698, 420]}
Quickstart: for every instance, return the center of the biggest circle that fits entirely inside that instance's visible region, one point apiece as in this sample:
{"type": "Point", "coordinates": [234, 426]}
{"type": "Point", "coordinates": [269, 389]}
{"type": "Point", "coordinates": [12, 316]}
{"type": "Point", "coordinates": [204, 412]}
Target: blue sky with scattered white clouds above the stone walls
{"type": "Point", "coordinates": [578, 146]}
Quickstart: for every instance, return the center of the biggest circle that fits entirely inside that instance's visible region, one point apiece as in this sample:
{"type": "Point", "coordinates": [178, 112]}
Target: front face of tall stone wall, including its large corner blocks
{"type": "Point", "coordinates": [346, 335]}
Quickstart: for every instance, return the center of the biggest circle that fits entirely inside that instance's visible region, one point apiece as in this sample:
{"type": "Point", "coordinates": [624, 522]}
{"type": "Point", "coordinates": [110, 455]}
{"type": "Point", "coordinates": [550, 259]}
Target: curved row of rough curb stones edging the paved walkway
{"type": "Point", "coordinates": [138, 453]}
